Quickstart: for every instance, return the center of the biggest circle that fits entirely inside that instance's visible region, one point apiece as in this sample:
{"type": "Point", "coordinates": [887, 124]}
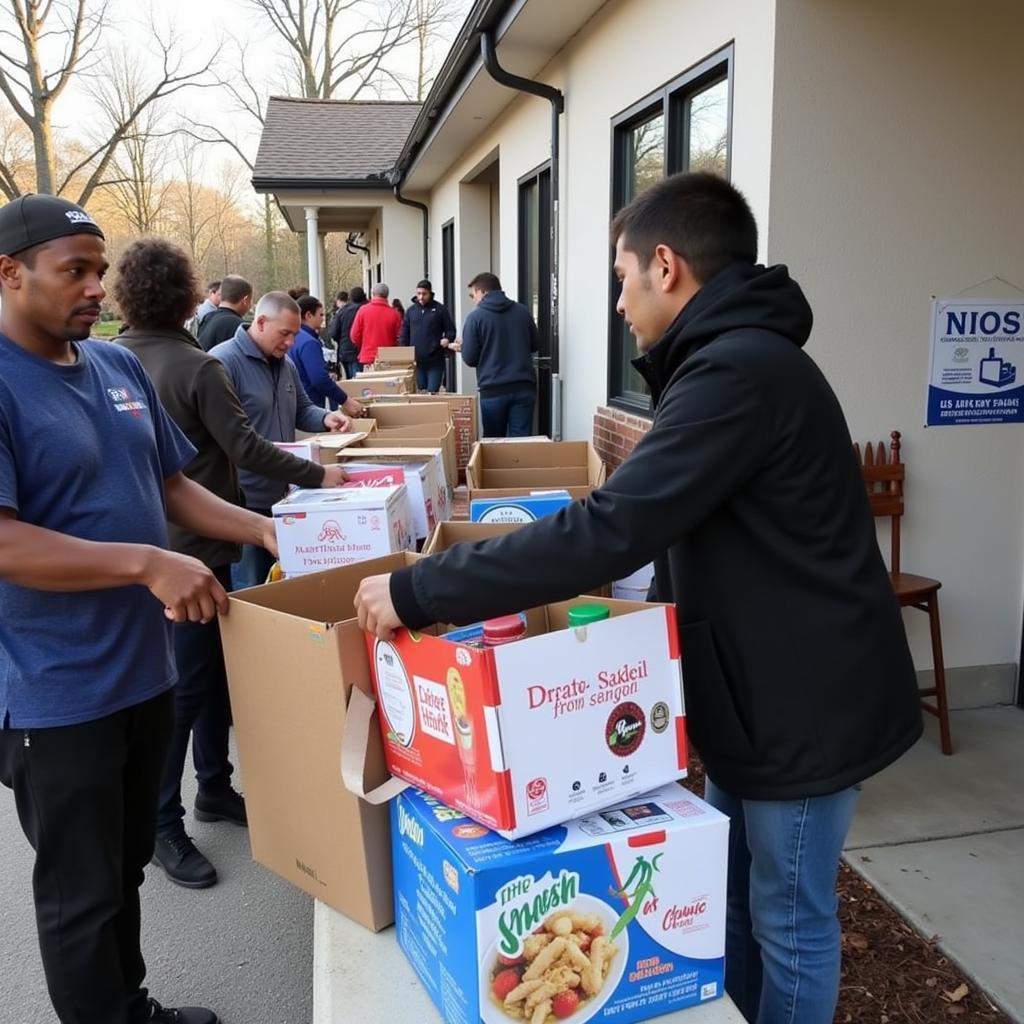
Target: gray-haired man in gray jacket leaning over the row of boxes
{"type": "Point", "coordinates": [273, 397]}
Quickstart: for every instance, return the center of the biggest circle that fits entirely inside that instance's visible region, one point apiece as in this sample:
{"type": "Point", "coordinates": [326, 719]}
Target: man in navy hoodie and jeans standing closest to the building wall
{"type": "Point", "coordinates": [499, 338]}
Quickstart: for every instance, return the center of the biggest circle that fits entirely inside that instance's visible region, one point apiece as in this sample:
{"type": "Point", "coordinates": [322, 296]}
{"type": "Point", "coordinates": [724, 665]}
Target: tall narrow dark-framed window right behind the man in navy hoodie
{"type": "Point", "coordinates": [535, 276]}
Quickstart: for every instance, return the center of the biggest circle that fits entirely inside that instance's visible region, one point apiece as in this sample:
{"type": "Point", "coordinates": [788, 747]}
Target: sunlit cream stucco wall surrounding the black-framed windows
{"type": "Point", "coordinates": [616, 61]}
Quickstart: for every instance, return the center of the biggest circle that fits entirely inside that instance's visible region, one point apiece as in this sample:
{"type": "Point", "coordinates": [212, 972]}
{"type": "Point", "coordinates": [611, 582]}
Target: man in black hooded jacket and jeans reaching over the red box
{"type": "Point", "coordinates": [798, 677]}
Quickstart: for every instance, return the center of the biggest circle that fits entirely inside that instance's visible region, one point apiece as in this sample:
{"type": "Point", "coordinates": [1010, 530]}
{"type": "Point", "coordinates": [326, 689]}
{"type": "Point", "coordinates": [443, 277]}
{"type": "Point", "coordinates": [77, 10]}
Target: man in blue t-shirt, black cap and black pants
{"type": "Point", "coordinates": [91, 472]}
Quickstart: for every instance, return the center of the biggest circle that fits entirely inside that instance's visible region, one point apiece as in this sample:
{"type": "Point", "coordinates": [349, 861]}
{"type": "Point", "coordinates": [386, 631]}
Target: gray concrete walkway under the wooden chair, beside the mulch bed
{"type": "Point", "coordinates": [943, 840]}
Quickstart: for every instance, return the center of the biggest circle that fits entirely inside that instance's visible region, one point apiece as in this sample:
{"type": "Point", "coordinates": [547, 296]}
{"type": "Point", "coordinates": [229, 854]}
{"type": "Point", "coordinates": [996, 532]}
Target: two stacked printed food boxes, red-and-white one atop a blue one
{"type": "Point", "coordinates": [548, 867]}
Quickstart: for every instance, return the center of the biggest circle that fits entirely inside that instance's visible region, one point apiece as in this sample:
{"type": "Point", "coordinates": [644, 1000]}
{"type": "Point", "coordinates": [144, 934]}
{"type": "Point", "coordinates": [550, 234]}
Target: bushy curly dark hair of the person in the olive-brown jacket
{"type": "Point", "coordinates": [156, 285]}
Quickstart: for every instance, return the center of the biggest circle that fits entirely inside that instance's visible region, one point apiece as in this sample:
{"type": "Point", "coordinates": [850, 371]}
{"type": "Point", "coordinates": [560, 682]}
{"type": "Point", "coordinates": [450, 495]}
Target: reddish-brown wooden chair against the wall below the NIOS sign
{"type": "Point", "coordinates": [884, 476]}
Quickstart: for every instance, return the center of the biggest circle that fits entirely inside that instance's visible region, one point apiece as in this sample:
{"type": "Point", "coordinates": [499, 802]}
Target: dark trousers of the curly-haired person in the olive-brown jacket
{"type": "Point", "coordinates": [202, 709]}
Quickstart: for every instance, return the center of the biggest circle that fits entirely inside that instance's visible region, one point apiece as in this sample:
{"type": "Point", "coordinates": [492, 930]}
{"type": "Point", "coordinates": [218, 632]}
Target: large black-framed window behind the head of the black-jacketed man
{"type": "Point", "coordinates": [686, 126]}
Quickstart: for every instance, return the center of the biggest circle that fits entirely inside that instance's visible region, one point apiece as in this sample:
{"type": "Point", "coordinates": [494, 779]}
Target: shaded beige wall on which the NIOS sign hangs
{"type": "Point", "coordinates": [897, 178]}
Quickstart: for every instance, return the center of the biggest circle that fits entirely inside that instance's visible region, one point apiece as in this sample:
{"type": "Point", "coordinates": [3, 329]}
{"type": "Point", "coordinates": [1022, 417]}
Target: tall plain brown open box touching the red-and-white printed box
{"type": "Point", "coordinates": [294, 654]}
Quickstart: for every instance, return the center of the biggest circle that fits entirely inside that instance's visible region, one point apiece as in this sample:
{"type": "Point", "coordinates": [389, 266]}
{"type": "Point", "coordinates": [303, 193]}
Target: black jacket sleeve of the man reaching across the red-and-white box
{"type": "Point", "coordinates": [710, 438]}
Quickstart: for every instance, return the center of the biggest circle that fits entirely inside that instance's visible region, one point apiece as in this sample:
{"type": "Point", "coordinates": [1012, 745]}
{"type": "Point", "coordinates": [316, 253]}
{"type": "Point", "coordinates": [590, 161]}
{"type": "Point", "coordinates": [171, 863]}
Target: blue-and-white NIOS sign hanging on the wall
{"type": "Point", "coordinates": [977, 368]}
